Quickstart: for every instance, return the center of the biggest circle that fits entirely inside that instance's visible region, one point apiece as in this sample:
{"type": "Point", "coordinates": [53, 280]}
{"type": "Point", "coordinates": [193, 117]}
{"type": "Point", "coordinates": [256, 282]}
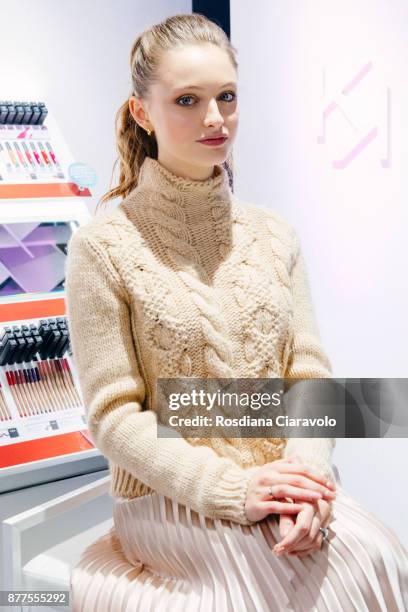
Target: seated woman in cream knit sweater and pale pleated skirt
{"type": "Point", "coordinates": [183, 280]}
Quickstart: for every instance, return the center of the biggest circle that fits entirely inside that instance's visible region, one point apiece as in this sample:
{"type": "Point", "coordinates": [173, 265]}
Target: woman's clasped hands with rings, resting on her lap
{"type": "Point", "coordinates": [297, 489]}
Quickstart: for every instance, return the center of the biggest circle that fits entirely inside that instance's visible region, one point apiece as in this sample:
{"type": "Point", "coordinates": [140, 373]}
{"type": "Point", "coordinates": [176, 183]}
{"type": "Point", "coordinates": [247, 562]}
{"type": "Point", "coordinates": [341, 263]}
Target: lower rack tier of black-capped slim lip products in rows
{"type": "Point", "coordinates": [39, 394]}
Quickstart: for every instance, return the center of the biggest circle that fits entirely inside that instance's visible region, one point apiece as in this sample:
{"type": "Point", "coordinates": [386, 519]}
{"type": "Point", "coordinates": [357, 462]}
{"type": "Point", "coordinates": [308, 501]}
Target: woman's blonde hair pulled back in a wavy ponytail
{"type": "Point", "coordinates": [132, 141]}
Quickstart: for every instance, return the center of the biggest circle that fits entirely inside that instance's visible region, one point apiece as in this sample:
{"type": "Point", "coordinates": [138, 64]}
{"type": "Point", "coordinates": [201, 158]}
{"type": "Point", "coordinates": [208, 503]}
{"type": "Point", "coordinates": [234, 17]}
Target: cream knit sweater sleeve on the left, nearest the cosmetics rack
{"type": "Point", "coordinates": [113, 391]}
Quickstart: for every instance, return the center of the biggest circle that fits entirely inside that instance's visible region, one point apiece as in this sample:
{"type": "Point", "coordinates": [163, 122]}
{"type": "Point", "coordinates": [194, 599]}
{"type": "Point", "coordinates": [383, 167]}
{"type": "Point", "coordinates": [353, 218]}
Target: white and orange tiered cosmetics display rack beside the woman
{"type": "Point", "coordinates": [43, 433]}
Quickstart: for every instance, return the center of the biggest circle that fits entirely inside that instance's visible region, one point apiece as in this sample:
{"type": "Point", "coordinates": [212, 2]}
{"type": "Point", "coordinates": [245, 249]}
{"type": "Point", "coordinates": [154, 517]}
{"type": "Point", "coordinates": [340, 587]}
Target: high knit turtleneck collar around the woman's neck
{"type": "Point", "coordinates": [200, 200]}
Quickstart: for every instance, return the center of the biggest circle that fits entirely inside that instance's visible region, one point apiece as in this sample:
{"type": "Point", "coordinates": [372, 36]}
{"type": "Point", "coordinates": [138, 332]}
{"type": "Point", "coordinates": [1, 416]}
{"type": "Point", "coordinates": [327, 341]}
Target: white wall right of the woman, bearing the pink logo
{"type": "Point", "coordinates": [352, 221]}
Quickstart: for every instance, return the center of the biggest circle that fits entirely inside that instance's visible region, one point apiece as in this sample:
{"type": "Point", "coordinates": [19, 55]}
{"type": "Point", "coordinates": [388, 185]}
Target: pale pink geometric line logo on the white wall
{"type": "Point", "coordinates": [355, 116]}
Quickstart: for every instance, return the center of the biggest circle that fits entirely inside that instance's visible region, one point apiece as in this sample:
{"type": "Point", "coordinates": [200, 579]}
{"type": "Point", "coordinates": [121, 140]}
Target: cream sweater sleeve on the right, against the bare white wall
{"type": "Point", "coordinates": [307, 360]}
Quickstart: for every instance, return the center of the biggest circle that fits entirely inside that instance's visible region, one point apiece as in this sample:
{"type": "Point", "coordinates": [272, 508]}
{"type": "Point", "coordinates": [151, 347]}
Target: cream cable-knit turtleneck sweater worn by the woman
{"type": "Point", "coordinates": [184, 280]}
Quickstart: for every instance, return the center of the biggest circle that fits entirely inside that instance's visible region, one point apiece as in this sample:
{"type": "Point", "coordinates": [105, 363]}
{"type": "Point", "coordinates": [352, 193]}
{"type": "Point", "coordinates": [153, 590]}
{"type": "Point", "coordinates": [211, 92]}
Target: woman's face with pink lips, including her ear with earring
{"type": "Point", "coordinates": [195, 96]}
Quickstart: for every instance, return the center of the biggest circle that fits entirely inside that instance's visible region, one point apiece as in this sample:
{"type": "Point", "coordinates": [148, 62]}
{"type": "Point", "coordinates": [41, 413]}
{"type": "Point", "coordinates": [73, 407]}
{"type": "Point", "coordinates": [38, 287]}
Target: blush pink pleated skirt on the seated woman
{"type": "Point", "coordinates": [163, 557]}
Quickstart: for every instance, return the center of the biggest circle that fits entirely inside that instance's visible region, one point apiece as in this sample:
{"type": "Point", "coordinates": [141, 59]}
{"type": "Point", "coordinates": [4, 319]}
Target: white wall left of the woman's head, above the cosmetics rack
{"type": "Point", "coordinates": [75, 57]}
